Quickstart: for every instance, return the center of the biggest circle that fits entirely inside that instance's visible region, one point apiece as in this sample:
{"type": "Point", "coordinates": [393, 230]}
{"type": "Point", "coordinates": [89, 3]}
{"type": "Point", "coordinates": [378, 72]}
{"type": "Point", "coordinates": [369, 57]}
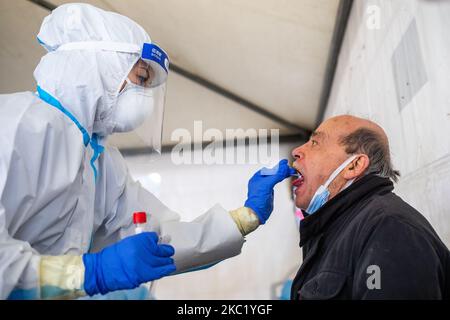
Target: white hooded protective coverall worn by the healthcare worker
{"type": "Point", "coordinates": [50, 203]}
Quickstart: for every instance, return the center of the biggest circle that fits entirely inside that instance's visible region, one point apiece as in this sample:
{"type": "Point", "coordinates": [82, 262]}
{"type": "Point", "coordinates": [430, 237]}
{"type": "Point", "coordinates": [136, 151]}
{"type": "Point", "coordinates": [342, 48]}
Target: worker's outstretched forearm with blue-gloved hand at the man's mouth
{"type": "Point", "coordinates": [213, 236]}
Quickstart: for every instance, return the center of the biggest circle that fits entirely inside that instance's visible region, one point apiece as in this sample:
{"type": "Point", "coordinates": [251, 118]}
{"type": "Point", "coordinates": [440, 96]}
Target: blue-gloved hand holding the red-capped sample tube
{"type": "Point", "coordinates": [127, 264]}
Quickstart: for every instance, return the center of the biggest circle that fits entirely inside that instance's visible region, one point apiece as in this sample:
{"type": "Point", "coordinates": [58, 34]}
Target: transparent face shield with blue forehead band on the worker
{"type": "Point", "coordinates": [139, 112]}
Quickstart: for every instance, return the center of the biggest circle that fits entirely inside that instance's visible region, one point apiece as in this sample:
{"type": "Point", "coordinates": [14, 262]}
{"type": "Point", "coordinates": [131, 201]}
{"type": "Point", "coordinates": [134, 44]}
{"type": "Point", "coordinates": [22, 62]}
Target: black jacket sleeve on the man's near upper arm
{"type": "Point", "coordinates": [397, 262]}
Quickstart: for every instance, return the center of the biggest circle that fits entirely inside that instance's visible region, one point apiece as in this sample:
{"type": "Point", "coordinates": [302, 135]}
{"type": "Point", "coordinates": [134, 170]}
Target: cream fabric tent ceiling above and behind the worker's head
{"type": "Point", "coordinates": [271, 53]}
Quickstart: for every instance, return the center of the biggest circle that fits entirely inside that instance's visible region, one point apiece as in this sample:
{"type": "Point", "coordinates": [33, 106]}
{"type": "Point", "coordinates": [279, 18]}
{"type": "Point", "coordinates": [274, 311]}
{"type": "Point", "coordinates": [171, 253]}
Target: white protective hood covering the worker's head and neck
{"type": "Point", "coordinates": [86, 82]}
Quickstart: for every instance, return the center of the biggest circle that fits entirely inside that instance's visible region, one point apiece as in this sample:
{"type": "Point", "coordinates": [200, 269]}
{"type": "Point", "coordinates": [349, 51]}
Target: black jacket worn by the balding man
{"type": "Point", "coordinates": [367, 243]}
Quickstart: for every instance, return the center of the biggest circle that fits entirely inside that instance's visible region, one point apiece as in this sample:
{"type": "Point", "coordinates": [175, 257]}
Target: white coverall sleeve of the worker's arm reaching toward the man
{"type": "Point", "coordinates": [212, 237]}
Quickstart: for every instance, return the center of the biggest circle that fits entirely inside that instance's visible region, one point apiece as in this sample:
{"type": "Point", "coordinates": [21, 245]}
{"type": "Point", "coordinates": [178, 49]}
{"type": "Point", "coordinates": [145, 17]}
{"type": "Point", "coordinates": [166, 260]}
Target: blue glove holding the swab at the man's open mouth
{"type": "Point", "coordinates": [260, 188]}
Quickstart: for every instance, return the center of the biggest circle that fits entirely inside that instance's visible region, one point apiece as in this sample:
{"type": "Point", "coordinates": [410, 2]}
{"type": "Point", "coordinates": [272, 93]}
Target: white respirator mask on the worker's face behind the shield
{"type": "Point", "coordinates": [134, 105]}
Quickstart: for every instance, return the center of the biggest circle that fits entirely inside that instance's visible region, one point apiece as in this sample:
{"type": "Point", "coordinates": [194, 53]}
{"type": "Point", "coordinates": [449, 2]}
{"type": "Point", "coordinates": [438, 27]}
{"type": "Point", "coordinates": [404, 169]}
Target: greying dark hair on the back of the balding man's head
{"type": "Point", "coordinates": [372, 144]}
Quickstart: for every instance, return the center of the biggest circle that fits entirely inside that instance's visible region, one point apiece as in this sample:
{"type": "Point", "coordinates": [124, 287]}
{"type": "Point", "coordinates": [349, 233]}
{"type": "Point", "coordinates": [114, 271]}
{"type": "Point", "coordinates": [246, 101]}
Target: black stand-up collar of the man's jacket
{"type": "Point", "coordinates": [357, 192]}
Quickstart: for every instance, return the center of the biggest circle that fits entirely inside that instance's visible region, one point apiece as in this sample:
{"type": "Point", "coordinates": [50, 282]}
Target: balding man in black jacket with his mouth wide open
{"type": "Point", "coordinates": [359, 239]}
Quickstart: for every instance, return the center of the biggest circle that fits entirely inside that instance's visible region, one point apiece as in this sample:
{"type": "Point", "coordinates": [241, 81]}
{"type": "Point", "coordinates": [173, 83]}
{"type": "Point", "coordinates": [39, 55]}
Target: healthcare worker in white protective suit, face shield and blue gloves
{"type": "Point", "coordinates": [67, 199]}
